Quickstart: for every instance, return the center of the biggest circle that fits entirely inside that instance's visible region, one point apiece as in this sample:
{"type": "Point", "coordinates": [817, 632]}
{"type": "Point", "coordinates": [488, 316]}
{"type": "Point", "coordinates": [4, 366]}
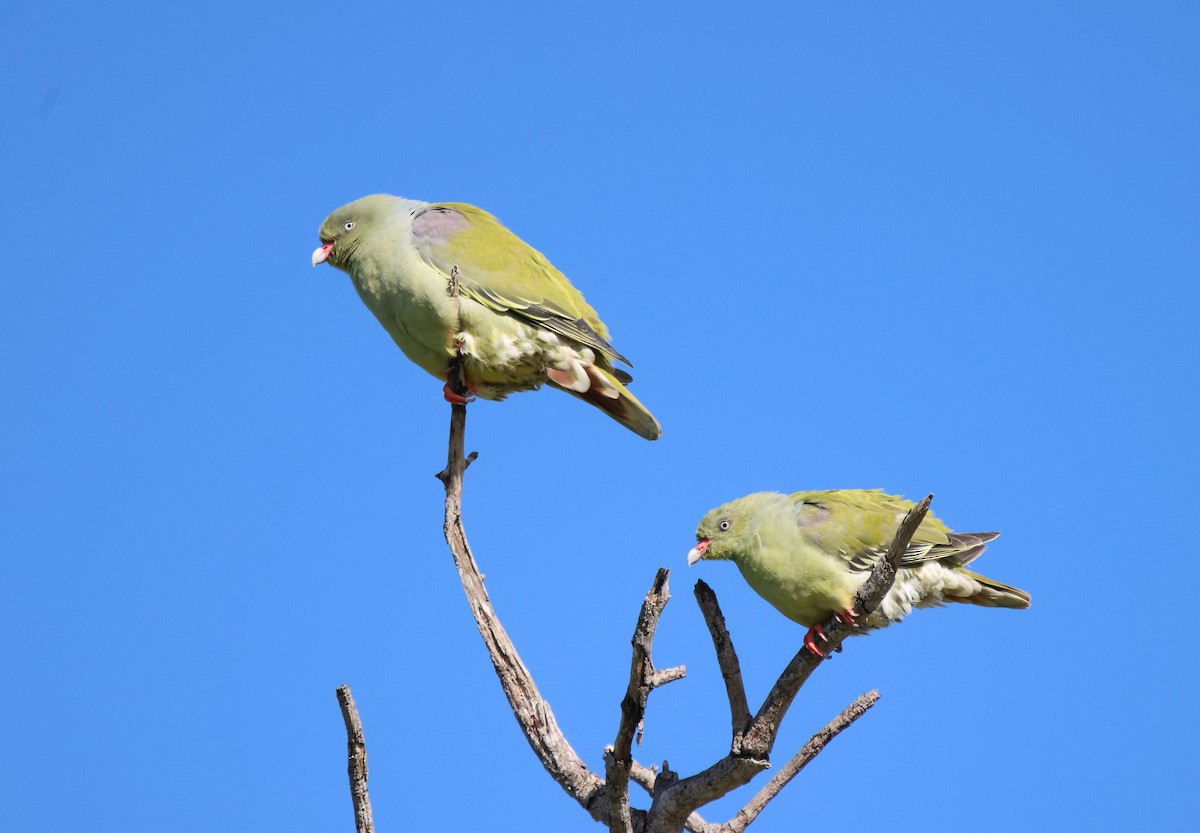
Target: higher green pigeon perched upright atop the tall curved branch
{"type": "Point", "coordinates": [448, 279]}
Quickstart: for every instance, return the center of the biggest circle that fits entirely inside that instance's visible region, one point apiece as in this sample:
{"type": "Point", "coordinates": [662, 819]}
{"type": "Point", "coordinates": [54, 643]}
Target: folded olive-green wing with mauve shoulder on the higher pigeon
{"type": "Point", "coordinates": [506, 274]}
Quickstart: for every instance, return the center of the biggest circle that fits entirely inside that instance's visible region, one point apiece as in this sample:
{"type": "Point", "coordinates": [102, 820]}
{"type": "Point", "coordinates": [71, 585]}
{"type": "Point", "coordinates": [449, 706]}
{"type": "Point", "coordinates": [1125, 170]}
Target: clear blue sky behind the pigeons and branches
{"type": "Point", "coordinates": [943, 248]}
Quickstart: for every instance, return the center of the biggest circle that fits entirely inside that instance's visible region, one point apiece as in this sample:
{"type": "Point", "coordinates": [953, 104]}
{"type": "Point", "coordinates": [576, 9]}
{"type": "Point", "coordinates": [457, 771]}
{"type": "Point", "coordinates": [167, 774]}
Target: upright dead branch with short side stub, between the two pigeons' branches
{"type": "Point", "coordinates": [643, 679]}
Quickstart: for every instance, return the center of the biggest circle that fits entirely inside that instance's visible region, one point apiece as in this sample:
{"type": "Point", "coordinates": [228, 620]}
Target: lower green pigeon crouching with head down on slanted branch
{"type": "Point", "coordinates": [808, 554]}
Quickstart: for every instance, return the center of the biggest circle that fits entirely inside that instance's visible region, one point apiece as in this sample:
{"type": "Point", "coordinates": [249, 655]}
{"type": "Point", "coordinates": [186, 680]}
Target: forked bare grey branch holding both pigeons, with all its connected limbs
{"type": "Point", "coordinates": [674, 800]}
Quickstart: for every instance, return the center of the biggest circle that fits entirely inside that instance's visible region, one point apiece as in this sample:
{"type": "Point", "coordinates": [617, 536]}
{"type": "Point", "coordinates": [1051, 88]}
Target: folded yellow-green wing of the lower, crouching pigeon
{"type": "Point", "coordinates": [859, 525]}
